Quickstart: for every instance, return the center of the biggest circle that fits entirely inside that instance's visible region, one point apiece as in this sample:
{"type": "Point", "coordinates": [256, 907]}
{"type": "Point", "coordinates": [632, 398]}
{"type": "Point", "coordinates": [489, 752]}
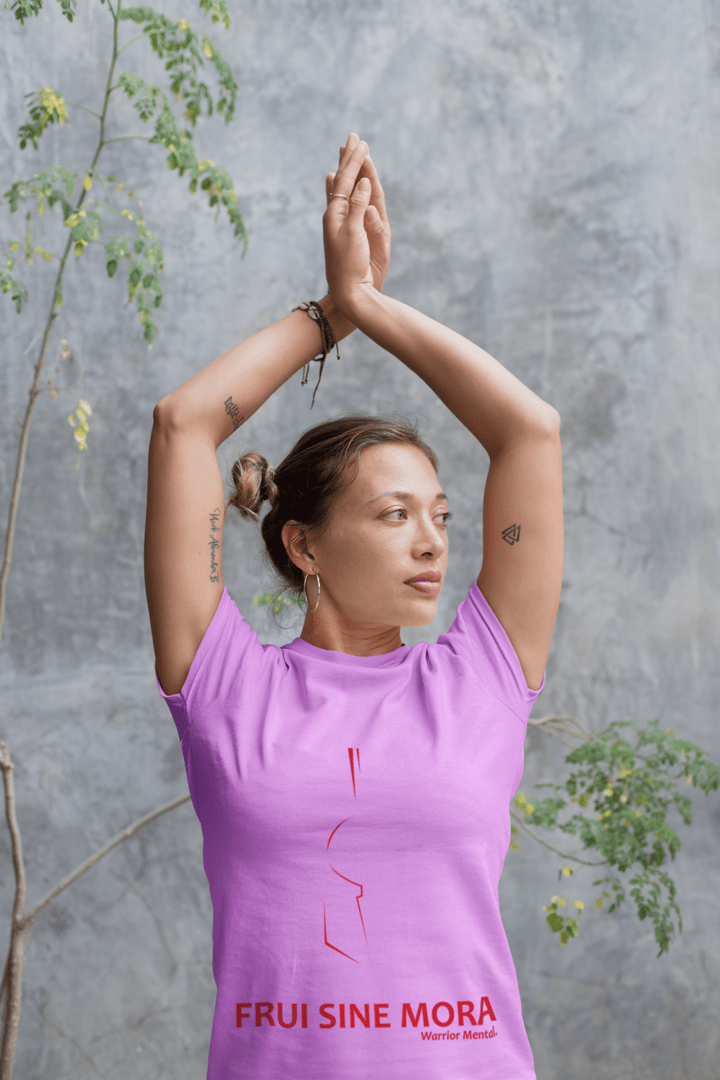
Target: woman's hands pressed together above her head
{"type": "Point", "coordinates": [357, 234]}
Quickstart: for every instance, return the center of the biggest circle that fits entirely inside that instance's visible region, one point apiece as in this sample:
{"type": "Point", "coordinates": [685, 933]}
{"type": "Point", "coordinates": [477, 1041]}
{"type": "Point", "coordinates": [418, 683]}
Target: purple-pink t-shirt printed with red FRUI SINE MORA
{"type": "Point", "coordinates": [356, 819]}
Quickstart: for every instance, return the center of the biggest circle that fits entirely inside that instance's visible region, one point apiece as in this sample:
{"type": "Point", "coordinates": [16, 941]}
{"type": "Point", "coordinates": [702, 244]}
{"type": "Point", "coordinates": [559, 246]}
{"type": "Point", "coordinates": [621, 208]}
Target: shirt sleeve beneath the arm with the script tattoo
{"type": "Point", "coordinates": [229, 645]}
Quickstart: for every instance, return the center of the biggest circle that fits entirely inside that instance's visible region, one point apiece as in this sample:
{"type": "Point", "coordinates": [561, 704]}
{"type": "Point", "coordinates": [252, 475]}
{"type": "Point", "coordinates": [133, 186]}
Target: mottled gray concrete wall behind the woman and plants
{"type": "Point", "coordinates": [552, 173]}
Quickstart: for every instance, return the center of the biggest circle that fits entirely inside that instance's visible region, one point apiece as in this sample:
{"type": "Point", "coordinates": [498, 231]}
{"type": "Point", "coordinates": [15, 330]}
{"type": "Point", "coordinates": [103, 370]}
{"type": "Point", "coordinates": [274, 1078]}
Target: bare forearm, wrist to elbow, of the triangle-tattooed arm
{"type": "Point", "coordinates": [495, 406]}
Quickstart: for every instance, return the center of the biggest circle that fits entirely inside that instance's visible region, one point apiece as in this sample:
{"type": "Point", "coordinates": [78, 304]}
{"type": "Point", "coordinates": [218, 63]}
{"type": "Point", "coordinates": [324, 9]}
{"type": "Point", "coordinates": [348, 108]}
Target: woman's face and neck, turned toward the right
{"type": "Point", "coordinates": [376, 541]}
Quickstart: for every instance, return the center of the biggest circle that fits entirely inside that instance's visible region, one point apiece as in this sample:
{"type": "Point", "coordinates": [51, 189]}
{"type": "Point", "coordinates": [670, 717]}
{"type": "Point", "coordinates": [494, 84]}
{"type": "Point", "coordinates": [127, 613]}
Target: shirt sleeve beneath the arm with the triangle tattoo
{"type": "Point", "coordinates": [479, 638]}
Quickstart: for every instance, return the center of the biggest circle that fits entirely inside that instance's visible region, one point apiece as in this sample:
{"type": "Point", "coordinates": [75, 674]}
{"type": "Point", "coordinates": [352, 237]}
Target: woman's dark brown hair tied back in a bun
{"type": "Point", "coordinates": [306, 484]}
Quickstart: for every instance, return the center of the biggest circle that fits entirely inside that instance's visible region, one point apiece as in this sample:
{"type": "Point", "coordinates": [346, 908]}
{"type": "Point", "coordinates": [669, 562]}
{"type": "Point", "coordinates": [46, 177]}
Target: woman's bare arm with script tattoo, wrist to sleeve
{"type": "Point", "coordinates": [186, 499]}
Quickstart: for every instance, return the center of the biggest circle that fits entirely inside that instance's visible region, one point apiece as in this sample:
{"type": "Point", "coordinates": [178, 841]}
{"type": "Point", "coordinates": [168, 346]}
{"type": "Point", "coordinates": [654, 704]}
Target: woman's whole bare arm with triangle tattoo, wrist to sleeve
{"type": "Point", "coordinates": [523, 534]}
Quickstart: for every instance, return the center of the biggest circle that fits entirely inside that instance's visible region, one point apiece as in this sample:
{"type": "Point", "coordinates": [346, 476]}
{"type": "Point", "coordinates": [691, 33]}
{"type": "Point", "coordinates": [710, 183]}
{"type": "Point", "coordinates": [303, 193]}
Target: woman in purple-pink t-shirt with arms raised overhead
{"type": "Point", "coordinates": [354, 792]}
